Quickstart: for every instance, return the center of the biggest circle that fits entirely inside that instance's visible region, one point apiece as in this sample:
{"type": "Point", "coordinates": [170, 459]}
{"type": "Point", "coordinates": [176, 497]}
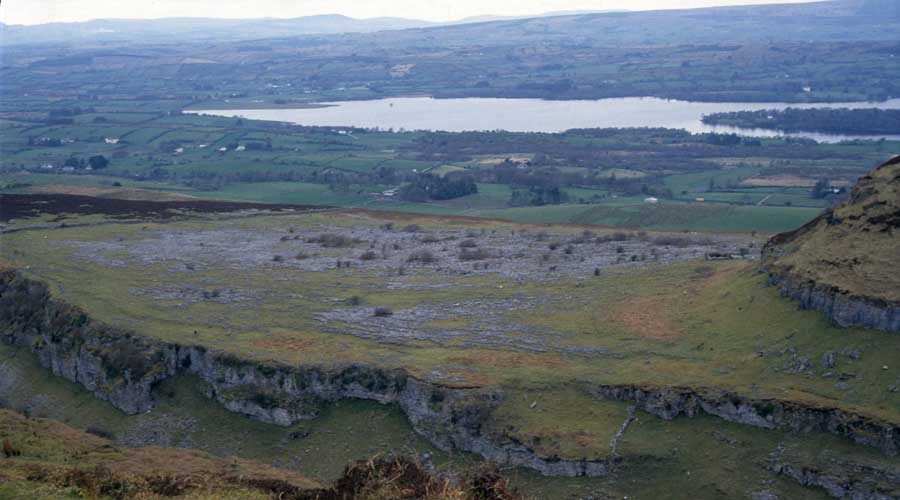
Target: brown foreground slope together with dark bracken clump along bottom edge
{"type": "Point", "coordinates": [46, 459]}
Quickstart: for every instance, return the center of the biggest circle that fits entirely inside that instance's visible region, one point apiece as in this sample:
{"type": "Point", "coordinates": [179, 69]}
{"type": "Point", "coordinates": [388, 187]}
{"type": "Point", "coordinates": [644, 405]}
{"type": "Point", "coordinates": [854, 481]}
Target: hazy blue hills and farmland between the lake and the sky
{"type": "Point", "coordinates": [819, 52]}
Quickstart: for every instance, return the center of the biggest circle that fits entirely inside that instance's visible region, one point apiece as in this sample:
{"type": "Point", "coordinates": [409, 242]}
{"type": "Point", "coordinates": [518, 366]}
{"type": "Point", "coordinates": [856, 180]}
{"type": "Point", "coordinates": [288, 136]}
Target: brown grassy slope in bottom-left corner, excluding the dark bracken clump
{"type": "Point", "coordinates": [47, 459]}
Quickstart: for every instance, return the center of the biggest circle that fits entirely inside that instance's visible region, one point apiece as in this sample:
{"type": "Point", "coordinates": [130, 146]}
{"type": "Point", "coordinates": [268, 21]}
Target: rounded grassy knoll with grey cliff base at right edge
{"type": "Point", "coordinates": [846, 262]}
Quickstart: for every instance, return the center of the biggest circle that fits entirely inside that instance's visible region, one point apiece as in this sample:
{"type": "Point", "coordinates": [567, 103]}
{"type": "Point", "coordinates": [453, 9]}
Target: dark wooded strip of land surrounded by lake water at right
{"type": "Point", "coordinates": [824, 120]}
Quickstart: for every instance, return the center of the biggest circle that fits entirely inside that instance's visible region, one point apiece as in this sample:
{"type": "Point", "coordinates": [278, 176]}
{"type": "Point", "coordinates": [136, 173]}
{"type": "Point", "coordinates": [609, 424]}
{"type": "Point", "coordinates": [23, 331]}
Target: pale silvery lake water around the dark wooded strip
{"type": "Point", "coordinates": [536, 115]}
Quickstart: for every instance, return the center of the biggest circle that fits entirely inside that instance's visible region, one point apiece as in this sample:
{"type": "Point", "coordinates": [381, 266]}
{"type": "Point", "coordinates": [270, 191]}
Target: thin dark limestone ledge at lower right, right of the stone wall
{"type": "Point", "coordinates": [670, 402]}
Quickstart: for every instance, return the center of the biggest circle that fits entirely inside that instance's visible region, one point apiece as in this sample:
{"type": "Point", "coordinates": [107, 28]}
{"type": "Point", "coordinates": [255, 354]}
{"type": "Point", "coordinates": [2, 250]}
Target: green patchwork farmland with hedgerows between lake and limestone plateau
{"type": "Point", "coordinates": [603, 175]}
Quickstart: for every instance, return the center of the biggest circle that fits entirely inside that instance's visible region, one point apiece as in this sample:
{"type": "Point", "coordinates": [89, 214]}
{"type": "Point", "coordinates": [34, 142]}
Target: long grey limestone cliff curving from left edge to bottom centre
{"type": "Point", "coordinates": [123, 369]}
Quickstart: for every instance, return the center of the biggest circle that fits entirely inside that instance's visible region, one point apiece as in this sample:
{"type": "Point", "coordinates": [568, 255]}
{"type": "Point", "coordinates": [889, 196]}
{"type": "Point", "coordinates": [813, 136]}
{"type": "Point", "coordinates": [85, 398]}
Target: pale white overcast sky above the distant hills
{"type": "Point", "coordinates": [44, 11]}
